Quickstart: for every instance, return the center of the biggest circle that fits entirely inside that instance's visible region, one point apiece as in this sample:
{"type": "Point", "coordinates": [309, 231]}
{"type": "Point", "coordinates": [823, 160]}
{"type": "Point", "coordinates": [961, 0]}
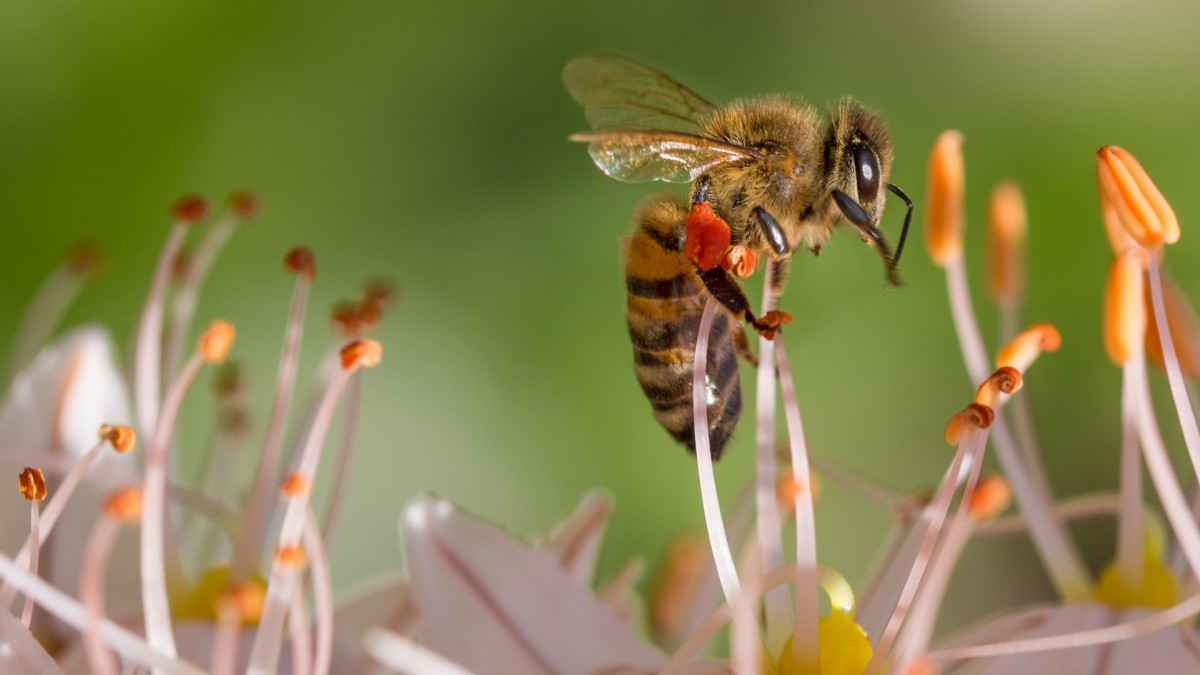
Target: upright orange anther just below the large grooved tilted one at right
{"type": "Point", "coordinates": [1125, 309]}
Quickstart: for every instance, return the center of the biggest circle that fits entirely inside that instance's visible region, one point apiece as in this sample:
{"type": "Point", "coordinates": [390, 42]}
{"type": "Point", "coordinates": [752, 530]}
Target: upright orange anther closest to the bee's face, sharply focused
{"type": "Point", "coordinates": [944, 211]}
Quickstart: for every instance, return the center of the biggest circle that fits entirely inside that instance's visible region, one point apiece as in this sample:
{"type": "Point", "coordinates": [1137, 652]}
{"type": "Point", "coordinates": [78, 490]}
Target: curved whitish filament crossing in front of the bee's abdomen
{"type": "Point", "coordinates": [723, 557]}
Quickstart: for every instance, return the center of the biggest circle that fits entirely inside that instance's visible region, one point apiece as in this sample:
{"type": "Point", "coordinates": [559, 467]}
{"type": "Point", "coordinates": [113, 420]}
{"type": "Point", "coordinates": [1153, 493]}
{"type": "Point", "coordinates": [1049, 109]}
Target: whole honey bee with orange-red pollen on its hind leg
{"type": "Point", "coordinates": [769, 176]}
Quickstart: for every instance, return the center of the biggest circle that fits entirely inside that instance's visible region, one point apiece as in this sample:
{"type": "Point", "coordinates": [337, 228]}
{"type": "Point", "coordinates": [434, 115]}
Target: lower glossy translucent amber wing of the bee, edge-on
{"type": "Point", "coordinates": [638, 157]}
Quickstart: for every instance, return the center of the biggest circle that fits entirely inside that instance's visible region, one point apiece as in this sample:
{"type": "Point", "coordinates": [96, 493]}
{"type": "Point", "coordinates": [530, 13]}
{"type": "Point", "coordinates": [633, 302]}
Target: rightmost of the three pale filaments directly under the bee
{"type": "Point", "coordinates": [806, 594]}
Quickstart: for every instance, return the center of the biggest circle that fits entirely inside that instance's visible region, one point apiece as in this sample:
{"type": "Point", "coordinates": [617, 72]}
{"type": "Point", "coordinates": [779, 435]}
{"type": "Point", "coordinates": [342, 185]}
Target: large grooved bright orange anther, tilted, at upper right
{"type": "Point", "coordinates": [1141, 207]}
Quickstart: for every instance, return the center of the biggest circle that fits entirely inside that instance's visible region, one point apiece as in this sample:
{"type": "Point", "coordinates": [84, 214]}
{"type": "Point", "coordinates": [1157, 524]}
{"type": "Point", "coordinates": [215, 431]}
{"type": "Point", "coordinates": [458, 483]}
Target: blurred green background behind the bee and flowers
{"type": "Point", "coordinates": [428, 142]}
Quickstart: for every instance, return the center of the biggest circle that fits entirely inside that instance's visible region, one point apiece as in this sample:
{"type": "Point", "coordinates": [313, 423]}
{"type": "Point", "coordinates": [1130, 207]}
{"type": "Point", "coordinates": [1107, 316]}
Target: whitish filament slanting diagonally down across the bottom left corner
{"type": "Point", "coordinates": [69, 611]}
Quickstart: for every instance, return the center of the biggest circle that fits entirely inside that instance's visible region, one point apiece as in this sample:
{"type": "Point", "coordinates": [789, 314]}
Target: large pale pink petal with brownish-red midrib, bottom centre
{"type": "Point", "coordinates": [495, 605]}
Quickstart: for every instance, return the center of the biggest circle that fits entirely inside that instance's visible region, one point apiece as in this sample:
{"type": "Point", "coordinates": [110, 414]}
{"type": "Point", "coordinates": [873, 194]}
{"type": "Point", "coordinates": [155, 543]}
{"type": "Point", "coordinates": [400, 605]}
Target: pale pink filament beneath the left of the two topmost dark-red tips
{"type": "Point", "coordinates": [148, 355]}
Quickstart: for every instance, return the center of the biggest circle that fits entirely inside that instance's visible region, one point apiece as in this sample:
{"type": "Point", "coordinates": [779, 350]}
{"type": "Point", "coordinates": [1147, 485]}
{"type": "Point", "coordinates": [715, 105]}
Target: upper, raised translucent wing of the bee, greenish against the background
{"type": "Point", "coordinates": [617, 93]}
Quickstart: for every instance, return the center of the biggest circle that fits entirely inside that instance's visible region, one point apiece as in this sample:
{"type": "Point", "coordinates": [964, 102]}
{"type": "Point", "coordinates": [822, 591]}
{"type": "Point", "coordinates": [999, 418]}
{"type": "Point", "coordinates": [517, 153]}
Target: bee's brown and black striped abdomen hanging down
{"type": "Point", "coordinates": [667, 300]}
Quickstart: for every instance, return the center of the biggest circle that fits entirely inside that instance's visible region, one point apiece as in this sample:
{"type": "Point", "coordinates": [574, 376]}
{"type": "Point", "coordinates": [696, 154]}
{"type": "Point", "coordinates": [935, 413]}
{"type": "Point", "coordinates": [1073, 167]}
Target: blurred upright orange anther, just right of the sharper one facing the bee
{"type": "Point", "coordinates": [1006, 242]}
